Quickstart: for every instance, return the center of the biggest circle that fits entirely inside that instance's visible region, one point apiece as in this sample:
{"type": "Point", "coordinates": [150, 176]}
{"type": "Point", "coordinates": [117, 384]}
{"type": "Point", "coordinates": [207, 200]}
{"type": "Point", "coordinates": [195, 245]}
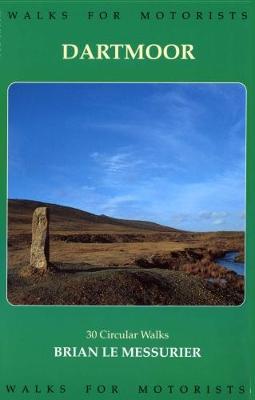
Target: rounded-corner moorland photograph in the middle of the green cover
{"type": "Point", "coordinates": [126, 193]}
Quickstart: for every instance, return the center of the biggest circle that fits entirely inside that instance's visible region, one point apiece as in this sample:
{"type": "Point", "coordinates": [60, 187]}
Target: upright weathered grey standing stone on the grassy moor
{"type": "Point", "coordinates": [39, 258]}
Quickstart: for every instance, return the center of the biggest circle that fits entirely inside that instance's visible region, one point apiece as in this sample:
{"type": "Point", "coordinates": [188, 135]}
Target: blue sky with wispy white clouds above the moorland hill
{"type": "Point", "coordinates": [169, 153]}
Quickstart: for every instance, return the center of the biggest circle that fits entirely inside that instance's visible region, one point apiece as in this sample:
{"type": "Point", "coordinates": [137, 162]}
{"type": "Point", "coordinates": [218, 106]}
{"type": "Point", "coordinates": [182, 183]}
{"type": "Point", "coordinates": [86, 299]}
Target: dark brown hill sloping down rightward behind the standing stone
{"type": "Point", "coordinates": [70, 219]}
